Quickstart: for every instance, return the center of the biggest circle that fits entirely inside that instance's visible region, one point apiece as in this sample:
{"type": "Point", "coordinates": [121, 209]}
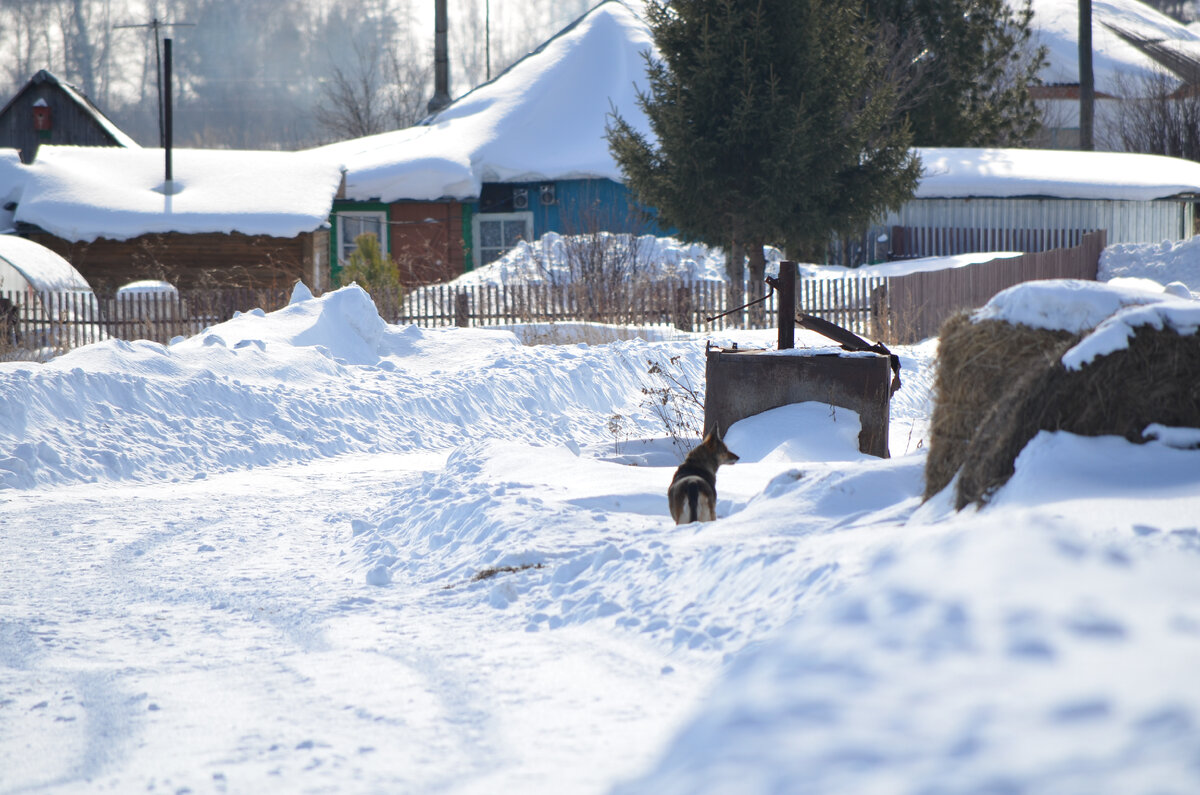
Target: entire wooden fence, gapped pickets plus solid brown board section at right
{"type": "Point", "coordinates": [898, 309]}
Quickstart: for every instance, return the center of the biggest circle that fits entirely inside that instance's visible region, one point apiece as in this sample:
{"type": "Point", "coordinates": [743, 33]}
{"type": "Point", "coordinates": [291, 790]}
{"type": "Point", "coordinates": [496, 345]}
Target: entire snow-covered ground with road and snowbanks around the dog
{"type": "Point", "coordinates": [313, 552]}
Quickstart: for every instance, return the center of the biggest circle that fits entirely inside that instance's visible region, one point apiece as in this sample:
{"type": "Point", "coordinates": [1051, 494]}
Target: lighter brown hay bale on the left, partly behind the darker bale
{"type": "Point", "coordinates": [977, 364]}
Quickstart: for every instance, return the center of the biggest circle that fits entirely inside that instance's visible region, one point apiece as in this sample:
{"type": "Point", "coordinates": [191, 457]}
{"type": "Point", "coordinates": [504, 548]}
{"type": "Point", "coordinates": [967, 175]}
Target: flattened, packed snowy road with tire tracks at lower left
{"type": "Point", "coordinates": [218, 635]}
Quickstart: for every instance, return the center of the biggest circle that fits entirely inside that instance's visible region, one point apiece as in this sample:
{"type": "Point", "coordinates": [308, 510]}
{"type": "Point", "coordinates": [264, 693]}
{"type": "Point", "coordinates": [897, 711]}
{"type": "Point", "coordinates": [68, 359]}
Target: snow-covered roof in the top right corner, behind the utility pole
{"type": "Point", "coordinates": [1057, 26]}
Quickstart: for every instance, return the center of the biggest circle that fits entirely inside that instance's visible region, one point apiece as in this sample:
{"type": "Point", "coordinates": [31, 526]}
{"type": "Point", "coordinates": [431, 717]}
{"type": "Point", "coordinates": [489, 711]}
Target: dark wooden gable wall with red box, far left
{"type": "Point", "coordinates": [70, 124]}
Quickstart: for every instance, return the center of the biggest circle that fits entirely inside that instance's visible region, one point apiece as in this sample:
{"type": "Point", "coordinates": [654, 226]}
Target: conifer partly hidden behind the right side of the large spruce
{"type": "Point", "coordinates": [968, 67]}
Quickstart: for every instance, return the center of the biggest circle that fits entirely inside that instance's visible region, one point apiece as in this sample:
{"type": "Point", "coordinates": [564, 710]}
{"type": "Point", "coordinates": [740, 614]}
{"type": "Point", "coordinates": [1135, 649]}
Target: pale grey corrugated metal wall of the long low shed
{"type": "Point", "coordinates": [1123, 220]}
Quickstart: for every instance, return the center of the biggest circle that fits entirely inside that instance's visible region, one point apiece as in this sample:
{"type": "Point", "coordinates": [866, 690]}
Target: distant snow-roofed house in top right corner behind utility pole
{"type": "Point", "coordinates": [1132, 44]}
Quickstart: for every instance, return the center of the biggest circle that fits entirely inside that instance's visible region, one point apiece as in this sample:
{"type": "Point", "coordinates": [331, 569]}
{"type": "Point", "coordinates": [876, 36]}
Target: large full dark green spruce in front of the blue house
{"type": "Point", "coordinates": [773, 123]}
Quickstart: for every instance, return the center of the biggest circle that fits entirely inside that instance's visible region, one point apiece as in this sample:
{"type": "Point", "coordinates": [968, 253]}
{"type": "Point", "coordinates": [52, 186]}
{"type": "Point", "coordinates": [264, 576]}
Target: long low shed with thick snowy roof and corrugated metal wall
{"type": "Point", "coordinates": [1030, 200]}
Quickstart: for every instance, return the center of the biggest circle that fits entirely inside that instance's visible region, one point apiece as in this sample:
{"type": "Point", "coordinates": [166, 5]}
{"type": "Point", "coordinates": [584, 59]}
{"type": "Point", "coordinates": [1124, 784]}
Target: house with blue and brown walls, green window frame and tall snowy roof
{"type": "Point", "coordinates": [519, 157]}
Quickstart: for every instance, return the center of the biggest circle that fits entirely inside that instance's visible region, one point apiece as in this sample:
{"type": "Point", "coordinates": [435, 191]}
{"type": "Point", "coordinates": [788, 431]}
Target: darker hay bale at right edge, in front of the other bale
{"type": "Point", "coordinates": [1155, 380]}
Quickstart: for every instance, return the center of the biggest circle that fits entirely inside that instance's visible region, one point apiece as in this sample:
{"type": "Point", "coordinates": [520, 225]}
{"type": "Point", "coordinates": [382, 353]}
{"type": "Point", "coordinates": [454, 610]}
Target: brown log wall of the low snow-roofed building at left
{"type": "Point", "coordinates": [191, 261]}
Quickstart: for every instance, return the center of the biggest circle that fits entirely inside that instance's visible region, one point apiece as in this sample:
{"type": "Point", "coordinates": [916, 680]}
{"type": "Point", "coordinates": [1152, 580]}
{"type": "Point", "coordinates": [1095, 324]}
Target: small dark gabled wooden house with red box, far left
{"type": "Point", "coordinates": [49, 111]}
